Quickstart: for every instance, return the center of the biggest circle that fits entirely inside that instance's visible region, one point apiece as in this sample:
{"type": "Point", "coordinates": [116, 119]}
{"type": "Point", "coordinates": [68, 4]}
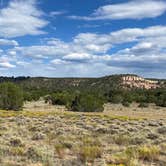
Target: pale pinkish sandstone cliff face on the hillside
{"type": "Point", "coordinates": [130, 81]}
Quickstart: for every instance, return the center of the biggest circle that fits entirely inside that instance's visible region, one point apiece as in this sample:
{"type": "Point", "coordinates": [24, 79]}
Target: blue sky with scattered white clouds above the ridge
{"type": "Point", "coordinates": [82, 38]}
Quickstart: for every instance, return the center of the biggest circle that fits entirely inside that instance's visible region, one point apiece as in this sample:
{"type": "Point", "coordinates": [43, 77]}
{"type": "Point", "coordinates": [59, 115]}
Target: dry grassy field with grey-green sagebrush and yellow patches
{"type": "Point", "coordinates": [44, 135]}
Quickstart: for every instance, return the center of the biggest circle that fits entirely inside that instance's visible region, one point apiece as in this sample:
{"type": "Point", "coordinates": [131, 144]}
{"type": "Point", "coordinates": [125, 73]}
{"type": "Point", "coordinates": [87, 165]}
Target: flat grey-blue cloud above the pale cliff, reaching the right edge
{"type": "Point", "coordinates": [139, 63]}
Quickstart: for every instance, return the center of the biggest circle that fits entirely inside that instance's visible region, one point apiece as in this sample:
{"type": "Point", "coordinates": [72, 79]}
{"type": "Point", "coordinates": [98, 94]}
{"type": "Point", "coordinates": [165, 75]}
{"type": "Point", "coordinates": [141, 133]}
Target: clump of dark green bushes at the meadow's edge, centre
{"type": "Point", "coordinates": [77, 101]}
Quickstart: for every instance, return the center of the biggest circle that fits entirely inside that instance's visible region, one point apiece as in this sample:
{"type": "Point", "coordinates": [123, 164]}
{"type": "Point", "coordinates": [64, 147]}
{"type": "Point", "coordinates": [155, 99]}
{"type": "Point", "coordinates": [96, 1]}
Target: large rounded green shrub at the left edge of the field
{"type": "Point", "coordinates": [11, 97]}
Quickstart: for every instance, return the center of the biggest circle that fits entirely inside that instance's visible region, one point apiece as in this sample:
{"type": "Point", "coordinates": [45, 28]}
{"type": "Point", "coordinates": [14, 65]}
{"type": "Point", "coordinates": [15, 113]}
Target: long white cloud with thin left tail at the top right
{"type": "Point", "coordinates": [136, 9]}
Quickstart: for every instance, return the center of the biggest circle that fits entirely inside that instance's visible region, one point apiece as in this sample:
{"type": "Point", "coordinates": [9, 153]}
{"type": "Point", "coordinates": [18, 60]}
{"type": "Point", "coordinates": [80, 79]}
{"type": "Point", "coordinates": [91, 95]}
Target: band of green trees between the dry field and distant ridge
{"type": "Point", "coordinates": [12, 97]}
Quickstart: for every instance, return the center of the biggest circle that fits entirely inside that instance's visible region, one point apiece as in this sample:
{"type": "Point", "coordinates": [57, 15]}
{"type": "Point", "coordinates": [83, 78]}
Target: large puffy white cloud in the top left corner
{"type": "Point", "coordinates": [21, 18]}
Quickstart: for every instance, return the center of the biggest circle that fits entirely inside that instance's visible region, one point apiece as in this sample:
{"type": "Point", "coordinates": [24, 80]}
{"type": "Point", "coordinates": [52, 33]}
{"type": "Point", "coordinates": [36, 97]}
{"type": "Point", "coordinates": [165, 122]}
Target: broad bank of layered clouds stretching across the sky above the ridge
{"type": "Point", "coordinates": [92, 51]}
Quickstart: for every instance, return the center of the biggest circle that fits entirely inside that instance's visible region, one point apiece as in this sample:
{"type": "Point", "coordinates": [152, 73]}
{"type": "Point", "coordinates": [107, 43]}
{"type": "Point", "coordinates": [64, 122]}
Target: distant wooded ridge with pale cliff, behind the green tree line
{"type": "Point", "coordinates": [125, 81]}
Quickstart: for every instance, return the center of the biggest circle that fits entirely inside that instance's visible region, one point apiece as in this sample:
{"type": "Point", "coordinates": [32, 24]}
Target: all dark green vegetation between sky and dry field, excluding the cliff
{"type": "Point", "coordinates": [81, 95]}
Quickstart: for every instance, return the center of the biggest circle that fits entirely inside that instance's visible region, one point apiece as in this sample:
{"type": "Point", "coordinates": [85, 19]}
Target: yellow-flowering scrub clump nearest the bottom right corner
{"type": "Point", "coordinates": [149, 153]}
